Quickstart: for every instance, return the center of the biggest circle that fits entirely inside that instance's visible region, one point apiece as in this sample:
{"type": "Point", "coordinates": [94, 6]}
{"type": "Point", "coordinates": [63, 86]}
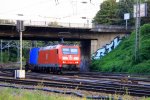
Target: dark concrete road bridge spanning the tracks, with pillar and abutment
{"type": "Point", "coordinates": [91, 38]}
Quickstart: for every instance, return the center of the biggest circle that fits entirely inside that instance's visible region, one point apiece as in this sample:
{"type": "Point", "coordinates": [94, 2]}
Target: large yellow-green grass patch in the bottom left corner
{"type": "Point", "coordinates": [20, 94]}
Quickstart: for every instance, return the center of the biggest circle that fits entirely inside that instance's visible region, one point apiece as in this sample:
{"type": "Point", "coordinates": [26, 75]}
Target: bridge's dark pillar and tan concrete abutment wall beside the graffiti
{"type": "Point", "coordinates": [89, 47]}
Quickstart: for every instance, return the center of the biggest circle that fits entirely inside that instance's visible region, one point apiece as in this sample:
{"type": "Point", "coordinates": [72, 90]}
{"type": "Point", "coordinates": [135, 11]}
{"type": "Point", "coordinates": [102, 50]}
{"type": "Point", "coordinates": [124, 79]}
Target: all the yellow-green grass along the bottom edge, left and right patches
{"type": "Point", "coordinates": [23, 94]}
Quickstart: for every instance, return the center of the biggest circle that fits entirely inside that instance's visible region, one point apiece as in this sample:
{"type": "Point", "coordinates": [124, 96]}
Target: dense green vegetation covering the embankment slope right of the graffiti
{"type": "Point", "coordinates": [122, 58]}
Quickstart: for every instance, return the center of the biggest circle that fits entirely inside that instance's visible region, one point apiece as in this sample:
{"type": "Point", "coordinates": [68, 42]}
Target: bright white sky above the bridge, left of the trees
{"type": "Point", "coordinates": [46, 10]}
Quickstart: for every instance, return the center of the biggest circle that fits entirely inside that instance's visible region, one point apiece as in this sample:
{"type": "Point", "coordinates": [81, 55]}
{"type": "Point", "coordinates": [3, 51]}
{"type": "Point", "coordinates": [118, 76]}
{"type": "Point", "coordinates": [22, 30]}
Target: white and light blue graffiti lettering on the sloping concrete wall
{"type": "Point", "coordinates": [107, 48]}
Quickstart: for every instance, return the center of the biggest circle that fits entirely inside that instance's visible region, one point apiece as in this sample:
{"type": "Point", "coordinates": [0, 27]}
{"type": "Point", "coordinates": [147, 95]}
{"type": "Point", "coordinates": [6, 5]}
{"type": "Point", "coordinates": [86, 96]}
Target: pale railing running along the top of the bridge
{"type": "Point", "coordinates": [47, 24]}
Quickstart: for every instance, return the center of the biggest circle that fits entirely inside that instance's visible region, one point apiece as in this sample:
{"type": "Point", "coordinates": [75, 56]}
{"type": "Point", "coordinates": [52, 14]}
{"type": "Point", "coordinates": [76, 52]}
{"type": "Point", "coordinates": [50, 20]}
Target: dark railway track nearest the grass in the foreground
{"type": "Point", "coordinates": [108, 88]}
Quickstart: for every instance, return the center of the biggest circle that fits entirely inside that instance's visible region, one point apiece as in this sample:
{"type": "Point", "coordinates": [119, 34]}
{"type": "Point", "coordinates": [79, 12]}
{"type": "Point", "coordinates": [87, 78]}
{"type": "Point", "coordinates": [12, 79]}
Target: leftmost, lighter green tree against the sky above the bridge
{"type": "Point", "coordinates": [107, 13]}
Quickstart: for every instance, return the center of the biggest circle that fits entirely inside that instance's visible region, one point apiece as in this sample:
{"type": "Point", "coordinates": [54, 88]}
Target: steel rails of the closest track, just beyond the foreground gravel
{"type": "Point", "coordinates": [98, 88]}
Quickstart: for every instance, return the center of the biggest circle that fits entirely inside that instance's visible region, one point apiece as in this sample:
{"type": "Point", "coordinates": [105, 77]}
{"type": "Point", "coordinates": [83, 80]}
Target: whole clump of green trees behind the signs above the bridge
{"type": "Point", "coordinates": [112, 12]}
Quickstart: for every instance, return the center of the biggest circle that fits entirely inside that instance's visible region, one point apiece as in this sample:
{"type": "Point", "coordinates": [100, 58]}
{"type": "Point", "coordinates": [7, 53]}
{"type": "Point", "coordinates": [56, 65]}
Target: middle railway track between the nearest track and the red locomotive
{"type": "Point", "coordinates": [122, 79]}
